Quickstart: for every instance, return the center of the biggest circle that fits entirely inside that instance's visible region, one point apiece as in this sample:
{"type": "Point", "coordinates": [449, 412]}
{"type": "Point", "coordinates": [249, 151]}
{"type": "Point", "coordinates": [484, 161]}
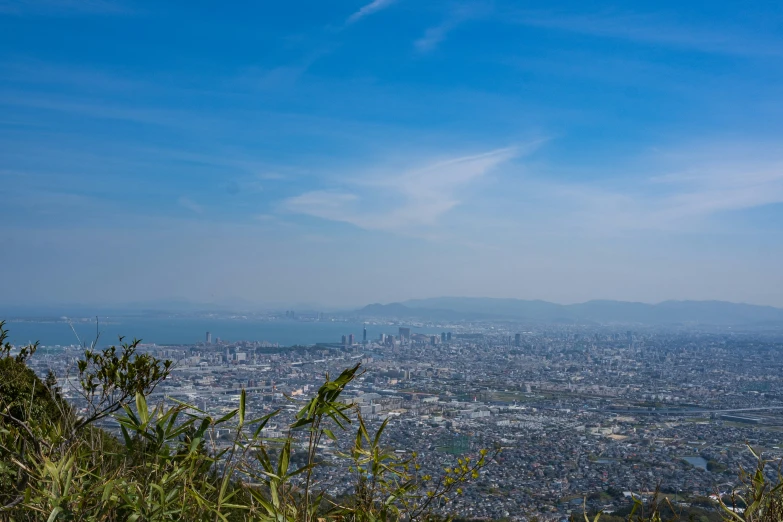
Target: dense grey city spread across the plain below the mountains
{"type": "Point", "coordinates": [585, 414]}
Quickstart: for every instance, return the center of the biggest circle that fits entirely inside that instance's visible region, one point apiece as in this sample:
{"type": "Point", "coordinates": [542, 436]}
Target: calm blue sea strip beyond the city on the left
{"type": "Point", "coordinates": [172, 331]}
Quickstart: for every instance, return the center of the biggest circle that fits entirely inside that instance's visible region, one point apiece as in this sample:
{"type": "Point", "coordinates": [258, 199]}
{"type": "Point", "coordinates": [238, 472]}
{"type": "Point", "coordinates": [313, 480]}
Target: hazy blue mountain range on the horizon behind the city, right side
{"type": "Point", "coordinates": [667, 312]}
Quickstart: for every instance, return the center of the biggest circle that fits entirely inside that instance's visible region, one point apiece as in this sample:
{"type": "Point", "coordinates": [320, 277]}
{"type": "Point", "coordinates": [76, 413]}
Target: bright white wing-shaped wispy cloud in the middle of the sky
{"type": "Point", "coordinates": [401, 202]}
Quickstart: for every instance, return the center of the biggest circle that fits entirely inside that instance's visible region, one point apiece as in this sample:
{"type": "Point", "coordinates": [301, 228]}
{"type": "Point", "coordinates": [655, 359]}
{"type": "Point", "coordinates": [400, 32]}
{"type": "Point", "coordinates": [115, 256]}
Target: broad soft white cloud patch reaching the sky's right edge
{"type": "Point", "coordinates": [688, 198]}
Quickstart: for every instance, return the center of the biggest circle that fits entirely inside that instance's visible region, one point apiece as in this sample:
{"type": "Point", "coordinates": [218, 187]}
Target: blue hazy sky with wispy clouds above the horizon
{"type": "Point", "coordinates": [346, 152]}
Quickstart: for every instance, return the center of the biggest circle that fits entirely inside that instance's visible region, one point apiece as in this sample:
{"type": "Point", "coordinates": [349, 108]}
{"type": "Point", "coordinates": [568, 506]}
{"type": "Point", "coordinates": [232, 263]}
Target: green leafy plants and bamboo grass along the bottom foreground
{"type": "Point", "coordinates": [56, 464]}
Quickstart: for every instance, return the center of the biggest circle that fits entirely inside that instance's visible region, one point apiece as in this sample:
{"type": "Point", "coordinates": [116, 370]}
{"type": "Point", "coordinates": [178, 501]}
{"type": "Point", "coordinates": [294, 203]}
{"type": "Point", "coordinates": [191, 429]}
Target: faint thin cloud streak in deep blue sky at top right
{"type": "Point", "coordinates": [656, 30]}
